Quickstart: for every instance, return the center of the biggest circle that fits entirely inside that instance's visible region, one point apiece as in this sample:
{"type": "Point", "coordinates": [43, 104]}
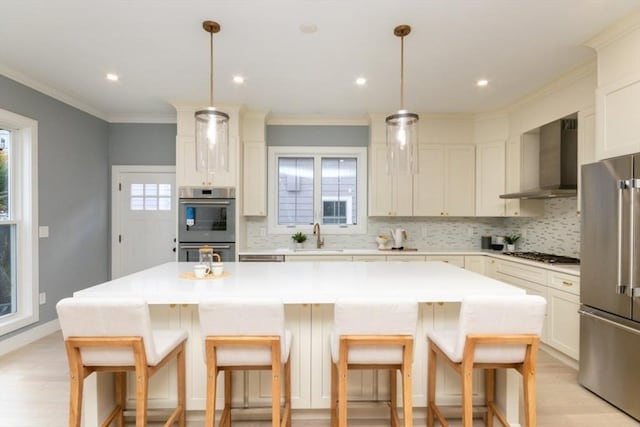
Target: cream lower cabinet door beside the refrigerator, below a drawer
{"type": "Point", "coordinates": [563, 332]}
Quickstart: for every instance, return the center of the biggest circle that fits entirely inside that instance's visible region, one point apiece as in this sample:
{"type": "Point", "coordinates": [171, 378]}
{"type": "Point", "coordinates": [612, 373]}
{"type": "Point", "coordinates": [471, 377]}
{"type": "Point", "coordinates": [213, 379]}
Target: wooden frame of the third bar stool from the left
{"type": "Point", "coordinates": [339, 376]}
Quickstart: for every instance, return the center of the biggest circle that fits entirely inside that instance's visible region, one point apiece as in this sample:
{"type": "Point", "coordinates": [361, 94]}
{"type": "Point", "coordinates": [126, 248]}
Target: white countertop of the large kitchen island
{"type": "Point", "coordinates": [304, 283]}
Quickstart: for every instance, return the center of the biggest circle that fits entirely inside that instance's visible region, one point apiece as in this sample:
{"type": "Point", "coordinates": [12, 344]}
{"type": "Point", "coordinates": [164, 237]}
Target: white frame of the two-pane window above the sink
{"type": "Point", "coordinates": [317, 153]}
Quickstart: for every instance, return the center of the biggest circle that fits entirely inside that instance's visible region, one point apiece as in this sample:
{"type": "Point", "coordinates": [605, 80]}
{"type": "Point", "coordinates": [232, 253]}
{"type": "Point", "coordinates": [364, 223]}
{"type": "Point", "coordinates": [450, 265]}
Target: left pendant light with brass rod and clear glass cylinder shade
{"type": "Point", "coordinates": [212, 126]}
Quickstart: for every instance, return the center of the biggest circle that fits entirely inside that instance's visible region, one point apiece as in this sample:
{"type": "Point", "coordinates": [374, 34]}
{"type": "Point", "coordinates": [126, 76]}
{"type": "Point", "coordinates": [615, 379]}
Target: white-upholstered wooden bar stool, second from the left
{"type": "Point", "coordinates": [246, 335]}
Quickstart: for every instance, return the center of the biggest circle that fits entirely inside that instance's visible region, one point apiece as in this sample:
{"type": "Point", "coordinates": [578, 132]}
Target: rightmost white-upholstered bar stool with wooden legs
{"type": "Point", "coordinates": [492, 332]}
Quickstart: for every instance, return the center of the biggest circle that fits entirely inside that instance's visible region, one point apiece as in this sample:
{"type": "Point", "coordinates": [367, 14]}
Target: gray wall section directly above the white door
{"type": "Point", "coordinates": [142, 144]}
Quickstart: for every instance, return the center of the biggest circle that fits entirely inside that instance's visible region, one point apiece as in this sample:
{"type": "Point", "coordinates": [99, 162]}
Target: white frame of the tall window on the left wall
{"type": "Point", "coordinates": [24, 214]}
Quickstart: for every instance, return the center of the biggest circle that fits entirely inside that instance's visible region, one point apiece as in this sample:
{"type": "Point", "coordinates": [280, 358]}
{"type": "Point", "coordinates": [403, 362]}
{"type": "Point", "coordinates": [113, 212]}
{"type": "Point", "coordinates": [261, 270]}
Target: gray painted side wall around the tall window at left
{"type": "Point", "coordinates": [73, 186]}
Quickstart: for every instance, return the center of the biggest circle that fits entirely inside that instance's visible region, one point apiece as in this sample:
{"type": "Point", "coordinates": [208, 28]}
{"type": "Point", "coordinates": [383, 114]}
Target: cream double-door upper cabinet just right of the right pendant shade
{"type": "Point", "coordinates": [445, 184]}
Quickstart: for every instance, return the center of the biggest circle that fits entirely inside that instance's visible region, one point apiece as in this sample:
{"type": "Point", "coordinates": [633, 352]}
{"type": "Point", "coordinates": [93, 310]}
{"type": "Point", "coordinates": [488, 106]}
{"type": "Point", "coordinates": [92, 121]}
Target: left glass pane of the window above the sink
{"type": "Point", "coordinates": [295, 190]}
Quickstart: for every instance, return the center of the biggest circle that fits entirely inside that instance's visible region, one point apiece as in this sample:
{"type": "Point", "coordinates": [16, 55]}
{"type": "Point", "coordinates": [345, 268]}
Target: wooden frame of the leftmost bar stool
{"type": "Point", "coordinates": [78, 372]}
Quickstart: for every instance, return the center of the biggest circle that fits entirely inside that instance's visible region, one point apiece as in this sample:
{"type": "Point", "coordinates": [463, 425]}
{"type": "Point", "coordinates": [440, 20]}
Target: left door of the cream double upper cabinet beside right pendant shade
{"type": "Point", "coordinates": [428, 184]}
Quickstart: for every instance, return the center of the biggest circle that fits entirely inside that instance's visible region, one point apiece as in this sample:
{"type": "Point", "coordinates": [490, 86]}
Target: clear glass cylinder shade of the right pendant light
{"type": "Point", "coordinates": [402, 143]}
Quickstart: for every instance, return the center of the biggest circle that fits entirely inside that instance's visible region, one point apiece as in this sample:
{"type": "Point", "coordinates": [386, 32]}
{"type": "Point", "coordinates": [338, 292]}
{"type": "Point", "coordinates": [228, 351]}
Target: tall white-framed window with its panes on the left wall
{"type": "Point", "coordinates": [18, 222]}
